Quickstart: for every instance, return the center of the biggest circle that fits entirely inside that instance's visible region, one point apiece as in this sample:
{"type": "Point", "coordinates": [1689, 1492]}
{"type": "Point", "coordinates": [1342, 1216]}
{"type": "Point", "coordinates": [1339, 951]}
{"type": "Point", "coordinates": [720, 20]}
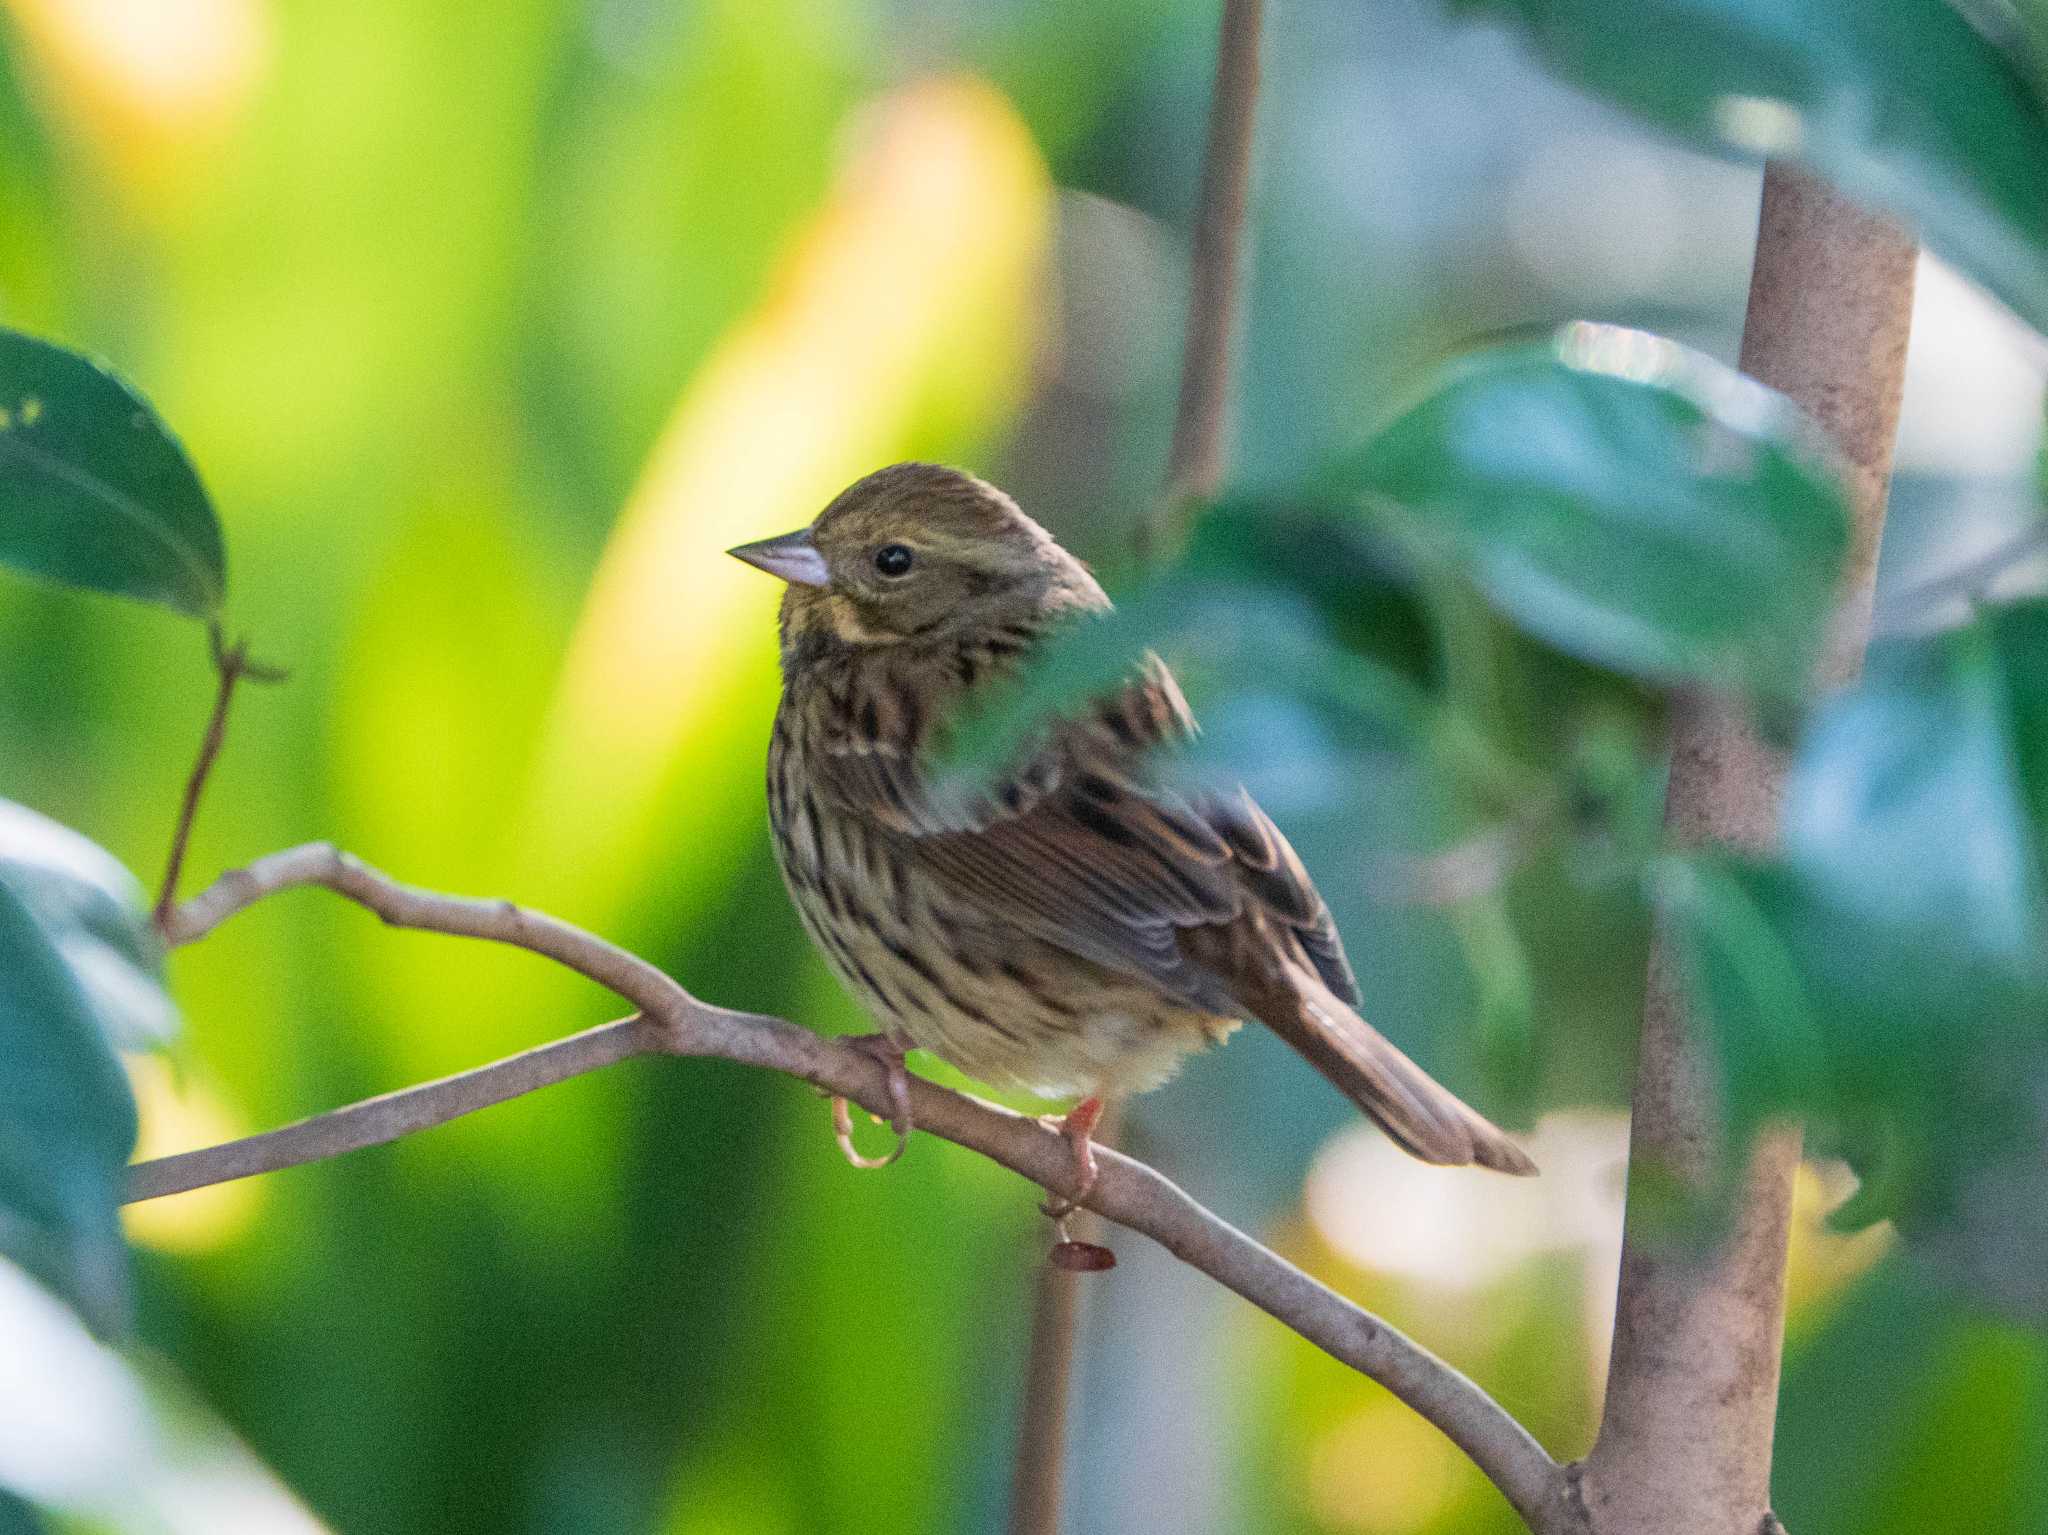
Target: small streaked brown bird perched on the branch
{"type": "Point", "coordinates": [1080, 930]}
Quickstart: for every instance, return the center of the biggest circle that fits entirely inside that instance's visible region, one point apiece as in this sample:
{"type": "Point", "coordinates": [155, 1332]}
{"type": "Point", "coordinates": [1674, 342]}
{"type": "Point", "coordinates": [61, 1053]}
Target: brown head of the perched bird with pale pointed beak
{"type": "Point", "coordinates": [919, 554]}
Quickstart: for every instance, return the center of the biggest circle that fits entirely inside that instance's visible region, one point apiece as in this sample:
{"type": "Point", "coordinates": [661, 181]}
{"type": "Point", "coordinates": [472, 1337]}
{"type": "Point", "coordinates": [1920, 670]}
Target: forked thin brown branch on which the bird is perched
{"type": "Point", "coordinates": [677, 1024]}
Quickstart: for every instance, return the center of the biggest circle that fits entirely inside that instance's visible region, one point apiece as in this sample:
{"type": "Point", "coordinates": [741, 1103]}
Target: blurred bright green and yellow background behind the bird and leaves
{"type": "Point", "coordinates": [490, 328]}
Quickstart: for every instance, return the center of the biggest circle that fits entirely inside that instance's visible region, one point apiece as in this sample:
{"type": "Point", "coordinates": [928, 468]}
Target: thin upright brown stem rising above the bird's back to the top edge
{"type": "Point", "coordinates": [1195, 462]}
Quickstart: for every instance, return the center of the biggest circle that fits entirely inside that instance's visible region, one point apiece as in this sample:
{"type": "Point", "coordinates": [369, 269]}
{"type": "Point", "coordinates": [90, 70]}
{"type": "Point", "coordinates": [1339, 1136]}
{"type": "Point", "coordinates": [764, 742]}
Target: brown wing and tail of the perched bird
{"type": "Point", "coordinates": [1199, 895]}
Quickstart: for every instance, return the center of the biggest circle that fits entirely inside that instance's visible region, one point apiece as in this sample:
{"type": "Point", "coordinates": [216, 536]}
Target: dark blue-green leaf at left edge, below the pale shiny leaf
{"type": "Point", "coordinates": [67, 1125]}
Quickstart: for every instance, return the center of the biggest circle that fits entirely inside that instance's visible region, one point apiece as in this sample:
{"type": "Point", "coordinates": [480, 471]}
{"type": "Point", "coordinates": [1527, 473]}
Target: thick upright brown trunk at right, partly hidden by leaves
{"type": "Point", "coordinates": [1693, 1389]}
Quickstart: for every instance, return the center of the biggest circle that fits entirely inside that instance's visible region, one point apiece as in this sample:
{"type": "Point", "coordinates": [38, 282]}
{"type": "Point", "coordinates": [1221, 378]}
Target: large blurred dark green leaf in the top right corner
{"type": "Point", "coordinates": [1900, 103]}
